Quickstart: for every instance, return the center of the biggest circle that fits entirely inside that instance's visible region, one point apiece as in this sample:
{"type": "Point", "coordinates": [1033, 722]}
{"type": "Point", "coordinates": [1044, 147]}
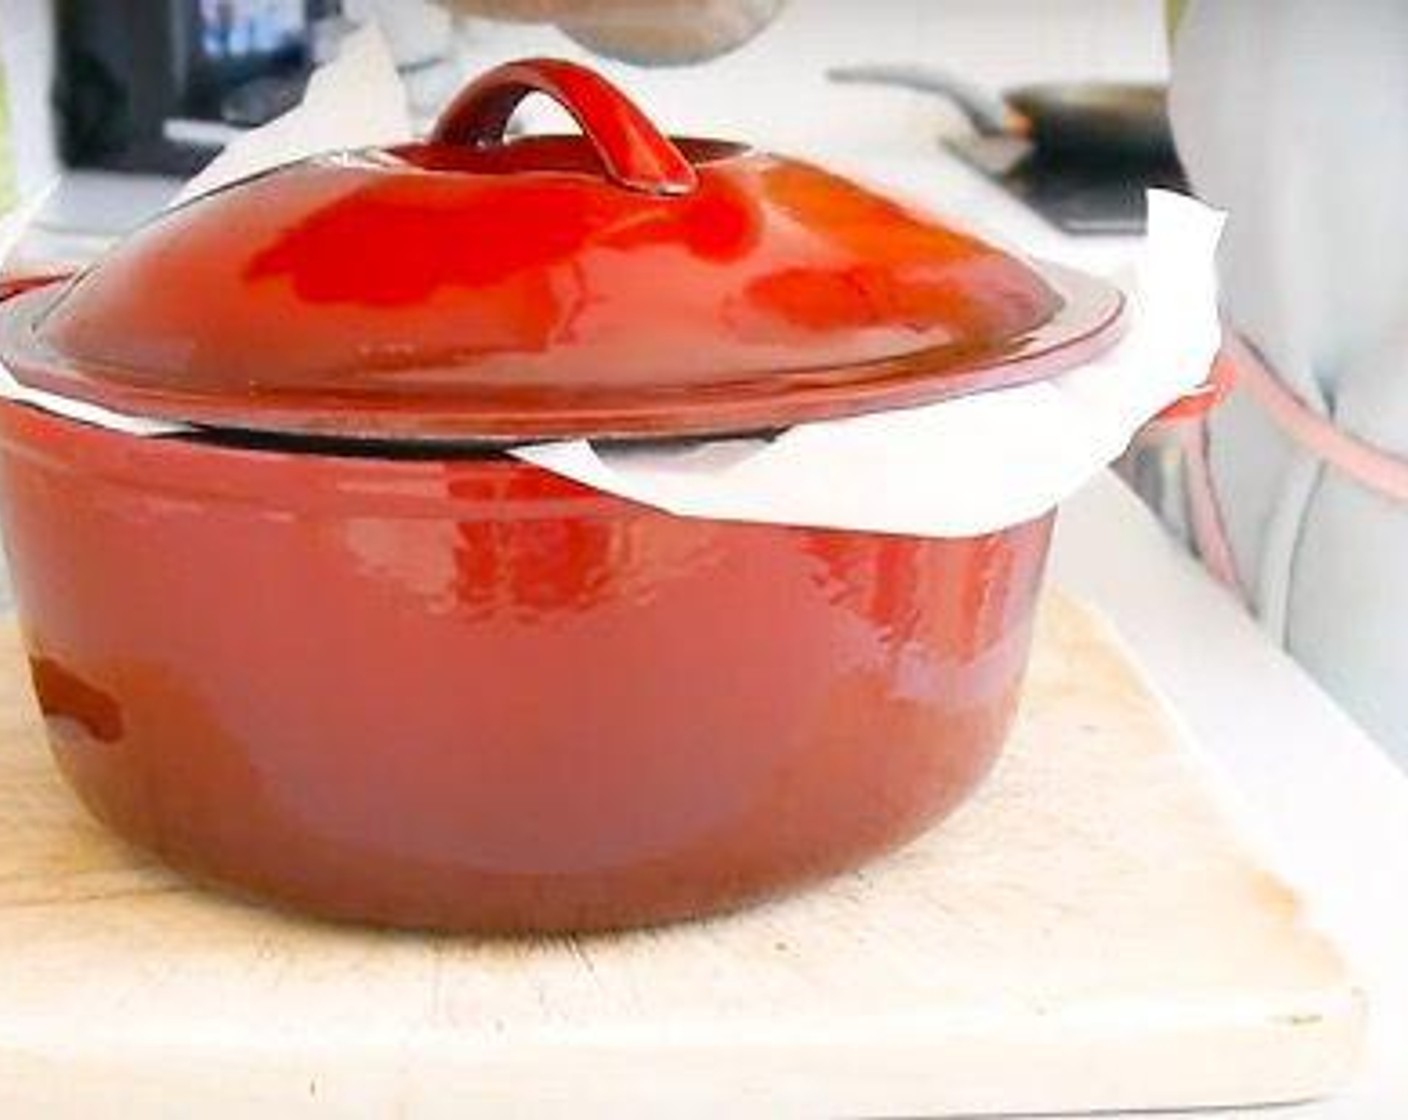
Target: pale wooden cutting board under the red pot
{"type": "Point", "coordinates": [1089, 933]}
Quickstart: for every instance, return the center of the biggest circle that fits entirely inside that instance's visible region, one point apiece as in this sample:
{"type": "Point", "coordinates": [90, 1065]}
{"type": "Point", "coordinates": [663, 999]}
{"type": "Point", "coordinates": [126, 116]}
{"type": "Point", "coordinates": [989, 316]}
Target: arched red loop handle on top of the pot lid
{"type": "Point", "coordinates": [633, 151]}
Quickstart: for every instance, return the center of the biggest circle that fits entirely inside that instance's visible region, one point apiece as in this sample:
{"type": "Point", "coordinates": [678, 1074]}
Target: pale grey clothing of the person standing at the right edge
{"type": "Point", "coordinates": [1293, 116]}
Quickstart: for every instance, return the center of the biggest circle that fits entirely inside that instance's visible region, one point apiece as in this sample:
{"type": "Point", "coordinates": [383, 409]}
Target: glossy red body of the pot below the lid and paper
{"type": "Point", "coordinates": [468, 694]}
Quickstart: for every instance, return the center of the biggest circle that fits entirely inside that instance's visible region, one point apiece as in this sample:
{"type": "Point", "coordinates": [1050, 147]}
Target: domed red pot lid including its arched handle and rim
{"type": "Point", "coordinates": [609, 285]}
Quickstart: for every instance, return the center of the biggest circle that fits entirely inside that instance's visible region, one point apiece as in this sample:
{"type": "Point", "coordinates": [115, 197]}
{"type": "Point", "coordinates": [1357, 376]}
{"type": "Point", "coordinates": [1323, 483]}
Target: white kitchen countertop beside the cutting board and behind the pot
{"type": "Point", "coordinates": [1323, 799]}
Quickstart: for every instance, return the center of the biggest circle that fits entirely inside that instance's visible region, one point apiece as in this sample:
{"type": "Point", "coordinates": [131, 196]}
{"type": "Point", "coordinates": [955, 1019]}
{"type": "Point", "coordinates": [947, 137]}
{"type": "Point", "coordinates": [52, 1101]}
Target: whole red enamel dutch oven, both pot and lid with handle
{"type": "Point", "coordinates": [332, 646]}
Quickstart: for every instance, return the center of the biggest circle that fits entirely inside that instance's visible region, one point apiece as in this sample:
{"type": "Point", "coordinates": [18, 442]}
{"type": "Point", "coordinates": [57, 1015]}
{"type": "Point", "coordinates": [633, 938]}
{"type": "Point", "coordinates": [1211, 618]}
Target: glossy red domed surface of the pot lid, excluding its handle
{"type": "Point", "coordinates": [496, 301]}
